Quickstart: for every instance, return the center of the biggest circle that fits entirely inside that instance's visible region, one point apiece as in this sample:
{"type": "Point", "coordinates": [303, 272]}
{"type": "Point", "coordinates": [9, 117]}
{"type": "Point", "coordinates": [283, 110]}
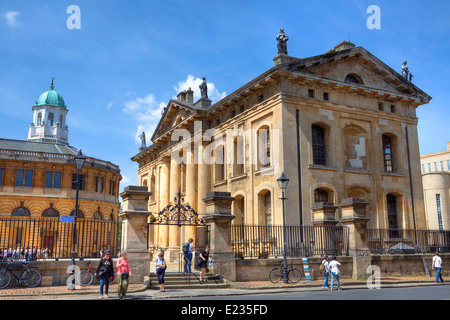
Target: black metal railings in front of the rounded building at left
{"type": "Point", "coordinates": [31, 238]}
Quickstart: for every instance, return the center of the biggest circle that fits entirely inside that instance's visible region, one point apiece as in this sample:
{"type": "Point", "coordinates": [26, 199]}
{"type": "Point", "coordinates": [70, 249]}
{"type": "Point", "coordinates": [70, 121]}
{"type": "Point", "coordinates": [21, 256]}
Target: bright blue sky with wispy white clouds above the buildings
{"type": "Point", "coordinates": [130, 57]}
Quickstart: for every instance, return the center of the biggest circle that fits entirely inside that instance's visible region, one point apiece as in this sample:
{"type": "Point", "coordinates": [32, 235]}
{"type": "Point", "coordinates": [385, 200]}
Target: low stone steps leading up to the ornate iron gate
{"type": "Point", "coordinates": [176, 280]}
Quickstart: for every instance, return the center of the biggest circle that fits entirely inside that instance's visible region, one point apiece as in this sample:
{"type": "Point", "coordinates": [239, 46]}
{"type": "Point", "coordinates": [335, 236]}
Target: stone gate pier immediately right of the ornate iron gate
{"type": "Point", "coordinates": [218, 217]}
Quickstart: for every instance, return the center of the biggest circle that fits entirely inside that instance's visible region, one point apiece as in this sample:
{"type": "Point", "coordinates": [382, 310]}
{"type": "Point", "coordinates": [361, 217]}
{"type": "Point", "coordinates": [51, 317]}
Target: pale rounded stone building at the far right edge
{"type": "Point", "coordinates": [436, 188]}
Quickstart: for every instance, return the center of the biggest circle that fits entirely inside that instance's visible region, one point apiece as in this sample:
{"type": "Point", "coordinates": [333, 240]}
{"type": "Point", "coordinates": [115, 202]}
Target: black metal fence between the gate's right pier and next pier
{"type": "Point", "coordinates": [267, 241]}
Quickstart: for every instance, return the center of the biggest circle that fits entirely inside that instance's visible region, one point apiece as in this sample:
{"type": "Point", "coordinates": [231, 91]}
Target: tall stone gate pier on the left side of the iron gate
{"type": "Point", "coordinates": [134, 217]}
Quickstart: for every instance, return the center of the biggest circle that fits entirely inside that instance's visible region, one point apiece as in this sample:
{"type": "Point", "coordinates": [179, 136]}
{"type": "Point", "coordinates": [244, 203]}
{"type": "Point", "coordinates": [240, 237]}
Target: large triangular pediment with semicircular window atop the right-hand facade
{"type": "Point", "coordinates": [372, 73]}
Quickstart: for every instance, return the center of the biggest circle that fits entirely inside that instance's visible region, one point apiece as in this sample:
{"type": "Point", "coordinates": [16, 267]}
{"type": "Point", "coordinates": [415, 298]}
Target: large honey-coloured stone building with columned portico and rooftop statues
{"type": "Point", "coordinates": [340, 125]}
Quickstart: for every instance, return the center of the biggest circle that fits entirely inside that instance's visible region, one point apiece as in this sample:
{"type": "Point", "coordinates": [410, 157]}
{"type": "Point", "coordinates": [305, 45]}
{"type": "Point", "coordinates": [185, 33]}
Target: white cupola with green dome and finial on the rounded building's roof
{"type": "Point", "coordinates": [49, 119]}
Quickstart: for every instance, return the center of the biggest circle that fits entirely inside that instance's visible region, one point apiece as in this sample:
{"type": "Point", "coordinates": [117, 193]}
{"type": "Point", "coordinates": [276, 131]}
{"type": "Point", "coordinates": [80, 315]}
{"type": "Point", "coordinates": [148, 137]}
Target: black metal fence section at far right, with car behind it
{"type": "Point", "coordinates": [404, 241]}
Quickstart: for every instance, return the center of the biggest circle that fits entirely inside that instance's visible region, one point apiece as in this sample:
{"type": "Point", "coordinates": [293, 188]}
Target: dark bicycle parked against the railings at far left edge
{"type": "Point", "coordinates": [31, 277]}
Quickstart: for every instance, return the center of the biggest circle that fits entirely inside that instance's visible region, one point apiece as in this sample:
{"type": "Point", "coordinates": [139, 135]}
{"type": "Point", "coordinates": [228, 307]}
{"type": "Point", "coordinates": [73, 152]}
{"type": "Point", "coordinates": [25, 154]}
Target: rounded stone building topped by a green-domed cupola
{"type": "Point", "coordinates": [36, 185]}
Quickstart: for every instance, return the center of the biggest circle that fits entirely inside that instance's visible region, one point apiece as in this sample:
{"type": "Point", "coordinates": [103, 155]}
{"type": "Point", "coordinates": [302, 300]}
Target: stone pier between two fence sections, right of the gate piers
{"type": "Point", "coordinates": [354, 217]}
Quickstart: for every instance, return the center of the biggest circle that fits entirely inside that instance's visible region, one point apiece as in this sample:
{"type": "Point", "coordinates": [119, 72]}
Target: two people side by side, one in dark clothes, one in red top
{"type": "Point", "coordinates": [105, 272]}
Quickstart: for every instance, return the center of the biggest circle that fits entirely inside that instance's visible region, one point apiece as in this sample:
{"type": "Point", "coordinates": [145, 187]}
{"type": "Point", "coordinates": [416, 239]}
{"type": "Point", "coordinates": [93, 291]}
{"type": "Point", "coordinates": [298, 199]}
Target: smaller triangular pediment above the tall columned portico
{"type": "Point", "coordinates": [174, 115]}
